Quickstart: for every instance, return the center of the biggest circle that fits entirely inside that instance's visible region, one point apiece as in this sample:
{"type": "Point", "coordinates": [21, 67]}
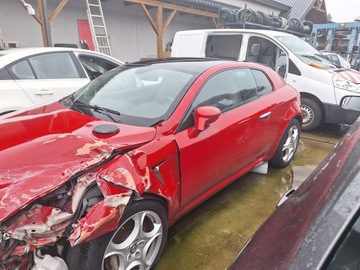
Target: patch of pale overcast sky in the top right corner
{"type": "Point", "coordinates": [343, 10]}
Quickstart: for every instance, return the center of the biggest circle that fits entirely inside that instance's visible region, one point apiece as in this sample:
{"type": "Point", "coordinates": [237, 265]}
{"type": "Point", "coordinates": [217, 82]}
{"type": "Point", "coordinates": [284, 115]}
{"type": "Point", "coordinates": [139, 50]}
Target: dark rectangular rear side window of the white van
{"type": "Point", "coordinates": [223, 46]}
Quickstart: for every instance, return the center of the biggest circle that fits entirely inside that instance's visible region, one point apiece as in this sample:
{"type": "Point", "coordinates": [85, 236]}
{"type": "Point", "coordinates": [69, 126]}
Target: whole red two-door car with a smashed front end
{"type": "Point", "coordinates": [95, 180]}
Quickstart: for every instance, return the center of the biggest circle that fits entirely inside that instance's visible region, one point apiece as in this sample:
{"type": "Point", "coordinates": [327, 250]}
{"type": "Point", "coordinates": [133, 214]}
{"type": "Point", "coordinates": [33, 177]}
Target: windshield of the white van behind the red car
{"type": "Point", "coordinates": [305, 52]}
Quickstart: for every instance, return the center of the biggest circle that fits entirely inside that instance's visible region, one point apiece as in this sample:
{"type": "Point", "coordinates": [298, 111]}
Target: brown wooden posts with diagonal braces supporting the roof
{"type": "Point", "coordinates": [158, 24]}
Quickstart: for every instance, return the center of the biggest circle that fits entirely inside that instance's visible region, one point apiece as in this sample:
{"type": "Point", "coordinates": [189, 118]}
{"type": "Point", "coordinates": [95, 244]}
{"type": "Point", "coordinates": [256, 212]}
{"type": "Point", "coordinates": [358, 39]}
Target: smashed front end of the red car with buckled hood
{"type": "Point", "coordinates": [47, 173]}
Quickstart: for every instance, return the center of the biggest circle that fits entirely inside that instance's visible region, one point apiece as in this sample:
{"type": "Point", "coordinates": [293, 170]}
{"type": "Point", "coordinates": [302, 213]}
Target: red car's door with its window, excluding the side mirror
{"type": "Point", "coordinates": [228, 145]}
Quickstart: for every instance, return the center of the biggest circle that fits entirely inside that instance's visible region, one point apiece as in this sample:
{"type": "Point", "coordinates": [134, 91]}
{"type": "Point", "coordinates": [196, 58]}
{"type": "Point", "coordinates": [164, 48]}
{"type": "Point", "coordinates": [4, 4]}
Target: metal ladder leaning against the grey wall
{"type": "Point", "coordinates": [97, 26]}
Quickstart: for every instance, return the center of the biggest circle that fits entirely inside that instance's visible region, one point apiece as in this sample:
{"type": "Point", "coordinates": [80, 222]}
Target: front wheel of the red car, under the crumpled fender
{"type": "Point", "coordinates": [136, 244]}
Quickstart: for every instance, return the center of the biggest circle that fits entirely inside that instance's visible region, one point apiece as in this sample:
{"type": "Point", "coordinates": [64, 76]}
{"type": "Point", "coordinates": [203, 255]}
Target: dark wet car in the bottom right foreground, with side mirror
{"type": "Point", "coordinates": [318, 226]}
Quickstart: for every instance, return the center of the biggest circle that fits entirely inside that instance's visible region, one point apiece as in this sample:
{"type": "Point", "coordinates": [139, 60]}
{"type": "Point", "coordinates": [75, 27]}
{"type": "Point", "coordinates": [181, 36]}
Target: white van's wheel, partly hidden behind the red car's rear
{"type": "Point", "coordinates": [312, 114]}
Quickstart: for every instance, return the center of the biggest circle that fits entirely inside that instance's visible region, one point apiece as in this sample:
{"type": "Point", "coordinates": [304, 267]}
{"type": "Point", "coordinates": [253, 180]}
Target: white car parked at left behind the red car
{"type": "Point", "coordinates": [32, 76]}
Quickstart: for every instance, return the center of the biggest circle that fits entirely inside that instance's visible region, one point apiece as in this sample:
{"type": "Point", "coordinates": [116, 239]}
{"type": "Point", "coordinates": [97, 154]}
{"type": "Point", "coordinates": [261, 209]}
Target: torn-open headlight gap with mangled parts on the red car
{"type": "Point", "coordinates": [48, 222]}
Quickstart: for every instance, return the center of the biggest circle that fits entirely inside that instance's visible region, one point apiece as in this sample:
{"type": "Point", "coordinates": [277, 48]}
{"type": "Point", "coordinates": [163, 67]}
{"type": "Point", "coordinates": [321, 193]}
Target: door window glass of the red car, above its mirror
{"type": "Point", "coordinates": [227, 90]}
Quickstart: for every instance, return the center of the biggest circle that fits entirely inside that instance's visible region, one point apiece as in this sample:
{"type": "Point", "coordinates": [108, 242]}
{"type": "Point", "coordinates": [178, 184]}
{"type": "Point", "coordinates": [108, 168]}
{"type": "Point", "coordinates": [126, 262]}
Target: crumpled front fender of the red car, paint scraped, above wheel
{"type": "Point", "coordinates": [131, 175]}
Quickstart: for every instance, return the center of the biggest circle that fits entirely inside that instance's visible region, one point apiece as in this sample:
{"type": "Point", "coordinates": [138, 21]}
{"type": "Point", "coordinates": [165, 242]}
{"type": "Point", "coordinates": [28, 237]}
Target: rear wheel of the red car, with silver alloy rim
{"type": "Point", "coordinates": [287, 146]}
